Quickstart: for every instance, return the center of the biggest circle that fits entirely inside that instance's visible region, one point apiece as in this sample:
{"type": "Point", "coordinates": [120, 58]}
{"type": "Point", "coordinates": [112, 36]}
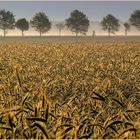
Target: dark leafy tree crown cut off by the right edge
{"type": "Point", "coordinates": [135, 19]}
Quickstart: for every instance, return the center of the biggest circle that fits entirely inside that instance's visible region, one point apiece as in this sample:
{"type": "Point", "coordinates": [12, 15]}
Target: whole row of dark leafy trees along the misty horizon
{"type": "Point", "coordinates": [78, 23]}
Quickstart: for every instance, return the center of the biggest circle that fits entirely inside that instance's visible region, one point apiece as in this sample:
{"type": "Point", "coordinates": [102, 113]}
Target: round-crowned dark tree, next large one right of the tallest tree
{"type": "Point", "coordinates": [110, 23]}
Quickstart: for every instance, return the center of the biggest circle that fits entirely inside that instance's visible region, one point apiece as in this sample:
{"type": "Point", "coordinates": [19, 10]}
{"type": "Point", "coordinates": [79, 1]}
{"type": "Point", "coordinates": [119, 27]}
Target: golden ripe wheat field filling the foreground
{"type": "Point", "coordinates": [69, 90]}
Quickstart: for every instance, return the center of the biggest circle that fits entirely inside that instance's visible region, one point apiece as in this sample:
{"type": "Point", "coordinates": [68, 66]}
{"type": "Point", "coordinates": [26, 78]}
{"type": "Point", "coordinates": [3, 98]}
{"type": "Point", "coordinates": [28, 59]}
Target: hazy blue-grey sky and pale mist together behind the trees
{"type": "Point", "coordinates": [58, 11]}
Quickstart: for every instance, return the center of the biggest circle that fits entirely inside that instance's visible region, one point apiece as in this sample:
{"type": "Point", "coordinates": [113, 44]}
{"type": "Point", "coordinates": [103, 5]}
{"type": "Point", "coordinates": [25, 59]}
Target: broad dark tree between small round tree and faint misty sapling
{"type": "Point", "coordinates": [41, 23]}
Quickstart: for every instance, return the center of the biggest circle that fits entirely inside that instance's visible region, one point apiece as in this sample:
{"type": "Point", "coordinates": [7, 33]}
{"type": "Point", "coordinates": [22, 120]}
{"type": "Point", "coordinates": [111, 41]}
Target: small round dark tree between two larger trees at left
{"type": "Point", "coordinates": [23, 25]}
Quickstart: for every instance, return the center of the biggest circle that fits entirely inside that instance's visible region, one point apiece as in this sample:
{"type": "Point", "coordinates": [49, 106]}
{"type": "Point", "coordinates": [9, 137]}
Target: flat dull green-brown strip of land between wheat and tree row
{"type": "Point", "coordinates": [68, 39]}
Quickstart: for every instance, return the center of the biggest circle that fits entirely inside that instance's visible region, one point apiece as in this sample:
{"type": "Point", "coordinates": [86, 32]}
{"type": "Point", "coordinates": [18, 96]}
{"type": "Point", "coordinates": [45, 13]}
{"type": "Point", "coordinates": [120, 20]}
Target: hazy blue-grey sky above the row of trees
{"type": "Point", "coordinates": [60, 10]}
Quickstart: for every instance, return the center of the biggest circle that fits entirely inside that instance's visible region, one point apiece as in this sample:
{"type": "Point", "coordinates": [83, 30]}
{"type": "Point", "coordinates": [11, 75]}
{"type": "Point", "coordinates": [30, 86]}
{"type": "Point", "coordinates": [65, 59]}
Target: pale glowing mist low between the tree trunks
{"type": "Point", "coordinates": [94, 25]}
